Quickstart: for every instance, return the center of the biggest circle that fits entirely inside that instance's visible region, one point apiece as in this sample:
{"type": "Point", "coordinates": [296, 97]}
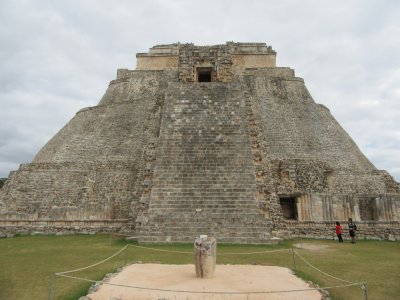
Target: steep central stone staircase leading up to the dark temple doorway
{"type": "Point", "coordinates": [204, 181]}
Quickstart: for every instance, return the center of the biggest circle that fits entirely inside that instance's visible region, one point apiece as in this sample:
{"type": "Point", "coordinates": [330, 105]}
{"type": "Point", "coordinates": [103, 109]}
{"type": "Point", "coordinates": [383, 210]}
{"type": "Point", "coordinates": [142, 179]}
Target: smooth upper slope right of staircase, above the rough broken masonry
{"type": "Point", "coordinates": [290, 124]}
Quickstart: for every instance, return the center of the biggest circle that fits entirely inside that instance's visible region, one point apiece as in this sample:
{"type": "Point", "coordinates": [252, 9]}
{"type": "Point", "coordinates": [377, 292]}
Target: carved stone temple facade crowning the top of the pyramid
{"type": "Point", "coordinates": [221, 60]}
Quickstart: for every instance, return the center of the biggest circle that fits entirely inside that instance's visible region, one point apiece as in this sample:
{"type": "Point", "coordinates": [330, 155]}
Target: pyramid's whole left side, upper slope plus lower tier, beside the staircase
{"type": "Point", "coordinates": [95, 167]}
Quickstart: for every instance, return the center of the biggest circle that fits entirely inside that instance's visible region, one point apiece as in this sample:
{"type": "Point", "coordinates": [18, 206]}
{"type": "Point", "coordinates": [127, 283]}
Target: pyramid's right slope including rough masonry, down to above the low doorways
{"type": "Point", "coordinates": [289, 126]}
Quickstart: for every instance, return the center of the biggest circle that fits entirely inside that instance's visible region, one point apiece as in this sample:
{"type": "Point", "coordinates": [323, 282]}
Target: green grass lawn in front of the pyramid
{"type": "Point", "coordinates": [28, 262]}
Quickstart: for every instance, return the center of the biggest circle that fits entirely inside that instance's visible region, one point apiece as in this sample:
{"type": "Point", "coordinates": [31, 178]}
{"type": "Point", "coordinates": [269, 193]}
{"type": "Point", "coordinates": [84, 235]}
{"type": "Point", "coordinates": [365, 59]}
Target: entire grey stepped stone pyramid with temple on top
{"type": "Point", "coordinates": [213, 140]}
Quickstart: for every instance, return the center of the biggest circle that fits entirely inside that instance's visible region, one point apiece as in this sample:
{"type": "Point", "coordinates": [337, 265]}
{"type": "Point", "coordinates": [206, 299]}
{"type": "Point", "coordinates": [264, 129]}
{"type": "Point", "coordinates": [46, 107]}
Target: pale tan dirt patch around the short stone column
{"type": "Point", "coordinates": [228, 278]}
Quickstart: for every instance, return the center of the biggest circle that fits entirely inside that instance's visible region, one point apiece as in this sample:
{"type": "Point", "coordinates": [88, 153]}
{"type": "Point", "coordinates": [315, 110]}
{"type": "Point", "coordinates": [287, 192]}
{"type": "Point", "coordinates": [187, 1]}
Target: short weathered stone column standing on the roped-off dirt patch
{"type": "Point", "coordinates": [205, 256]}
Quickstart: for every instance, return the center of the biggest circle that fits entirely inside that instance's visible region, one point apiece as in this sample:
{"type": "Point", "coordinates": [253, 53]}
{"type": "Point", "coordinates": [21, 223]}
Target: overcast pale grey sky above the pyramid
{"type": "Point", "coordinates": [59, 56]}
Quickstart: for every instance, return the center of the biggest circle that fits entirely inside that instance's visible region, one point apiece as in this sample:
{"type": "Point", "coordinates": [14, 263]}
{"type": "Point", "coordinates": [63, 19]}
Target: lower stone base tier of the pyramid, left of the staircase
{"type": "Point", "coordinates": [70, 191]}
